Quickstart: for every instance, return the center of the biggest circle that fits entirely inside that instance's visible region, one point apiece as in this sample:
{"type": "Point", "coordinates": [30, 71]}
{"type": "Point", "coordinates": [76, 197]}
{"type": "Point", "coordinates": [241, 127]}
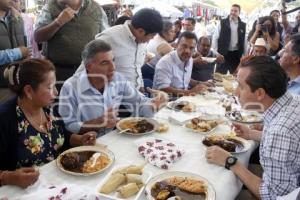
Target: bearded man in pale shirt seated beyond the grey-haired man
{"type": "Point", "coordinates": [173, 71]}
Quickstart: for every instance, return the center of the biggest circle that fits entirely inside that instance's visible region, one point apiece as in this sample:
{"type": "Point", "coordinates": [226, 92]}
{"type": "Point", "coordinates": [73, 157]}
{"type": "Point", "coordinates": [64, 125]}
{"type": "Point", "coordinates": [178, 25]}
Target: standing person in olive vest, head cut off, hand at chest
{"type": "Point", "coordinates": [65, 27]}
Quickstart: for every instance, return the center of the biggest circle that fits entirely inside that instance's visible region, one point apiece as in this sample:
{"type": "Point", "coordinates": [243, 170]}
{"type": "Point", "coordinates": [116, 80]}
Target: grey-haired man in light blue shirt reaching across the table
{"type": "Point", "coordinates": [90, 98]}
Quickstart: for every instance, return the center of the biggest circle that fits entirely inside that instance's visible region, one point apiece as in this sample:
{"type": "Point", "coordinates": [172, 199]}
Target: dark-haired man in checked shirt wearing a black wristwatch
{"type": "Point", "coordinates": [261, 80]}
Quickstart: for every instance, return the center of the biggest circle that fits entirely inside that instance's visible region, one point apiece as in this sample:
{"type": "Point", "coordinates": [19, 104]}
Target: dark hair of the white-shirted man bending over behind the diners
{"type": "Point", "coordinates": [147, 19]}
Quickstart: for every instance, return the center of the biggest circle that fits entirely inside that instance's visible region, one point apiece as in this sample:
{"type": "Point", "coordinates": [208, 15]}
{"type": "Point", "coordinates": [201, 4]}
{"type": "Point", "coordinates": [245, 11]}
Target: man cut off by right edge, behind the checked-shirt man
{"type": "Point", "coordinates": [290, 61]}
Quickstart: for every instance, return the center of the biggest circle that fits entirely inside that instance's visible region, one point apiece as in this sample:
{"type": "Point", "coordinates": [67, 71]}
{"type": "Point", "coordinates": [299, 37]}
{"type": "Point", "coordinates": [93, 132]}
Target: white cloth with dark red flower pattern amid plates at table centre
{"type": "Point", "coordinates": [160, 153]}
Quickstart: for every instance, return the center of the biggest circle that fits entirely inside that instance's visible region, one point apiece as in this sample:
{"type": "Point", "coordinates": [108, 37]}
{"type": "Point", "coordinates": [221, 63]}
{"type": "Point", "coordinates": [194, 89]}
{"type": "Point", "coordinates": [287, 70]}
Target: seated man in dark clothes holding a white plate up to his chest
{"type": "Point", "coordinates": [202, 69]}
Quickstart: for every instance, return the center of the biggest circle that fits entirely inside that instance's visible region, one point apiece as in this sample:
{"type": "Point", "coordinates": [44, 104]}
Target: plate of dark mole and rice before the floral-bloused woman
{"type": "Point", "coordinates": [85, 160]}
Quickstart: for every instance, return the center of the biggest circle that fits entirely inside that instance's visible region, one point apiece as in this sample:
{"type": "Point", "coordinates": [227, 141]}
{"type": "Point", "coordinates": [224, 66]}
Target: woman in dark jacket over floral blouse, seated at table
{"type": "Point", "coordinates": [30, 134]}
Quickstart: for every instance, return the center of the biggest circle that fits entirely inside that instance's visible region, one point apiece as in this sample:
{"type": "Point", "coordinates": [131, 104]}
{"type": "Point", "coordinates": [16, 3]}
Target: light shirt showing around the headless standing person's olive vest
{"type": "Point", "coordinates": [45, 17]}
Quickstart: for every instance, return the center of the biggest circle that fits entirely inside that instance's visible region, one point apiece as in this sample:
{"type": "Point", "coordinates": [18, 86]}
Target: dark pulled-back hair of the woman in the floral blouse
{"type": "Point", "coordinates": [27, 72]}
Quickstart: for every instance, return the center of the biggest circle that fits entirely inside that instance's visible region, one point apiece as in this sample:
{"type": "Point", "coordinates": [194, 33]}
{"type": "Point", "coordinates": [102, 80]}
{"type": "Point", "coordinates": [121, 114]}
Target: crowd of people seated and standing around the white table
{"type": "Point", "coordinates": [90, 74]}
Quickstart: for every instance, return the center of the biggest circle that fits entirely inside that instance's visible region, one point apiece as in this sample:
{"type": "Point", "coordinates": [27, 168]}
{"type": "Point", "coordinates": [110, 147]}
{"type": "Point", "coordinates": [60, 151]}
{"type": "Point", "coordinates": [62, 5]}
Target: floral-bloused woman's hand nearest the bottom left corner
{"type": "Point", "coordinates": [22, 177]}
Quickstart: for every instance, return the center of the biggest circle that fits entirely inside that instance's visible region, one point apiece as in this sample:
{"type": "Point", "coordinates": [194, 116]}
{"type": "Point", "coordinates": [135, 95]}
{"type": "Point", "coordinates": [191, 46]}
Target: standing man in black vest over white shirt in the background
{"type": "Point", "coordinates": [229, 40]}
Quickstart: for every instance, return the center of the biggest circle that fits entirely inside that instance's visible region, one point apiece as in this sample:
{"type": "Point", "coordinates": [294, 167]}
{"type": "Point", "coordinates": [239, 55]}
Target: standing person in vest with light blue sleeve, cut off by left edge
{"type": "Point", "coordinates": [12, 41]}
